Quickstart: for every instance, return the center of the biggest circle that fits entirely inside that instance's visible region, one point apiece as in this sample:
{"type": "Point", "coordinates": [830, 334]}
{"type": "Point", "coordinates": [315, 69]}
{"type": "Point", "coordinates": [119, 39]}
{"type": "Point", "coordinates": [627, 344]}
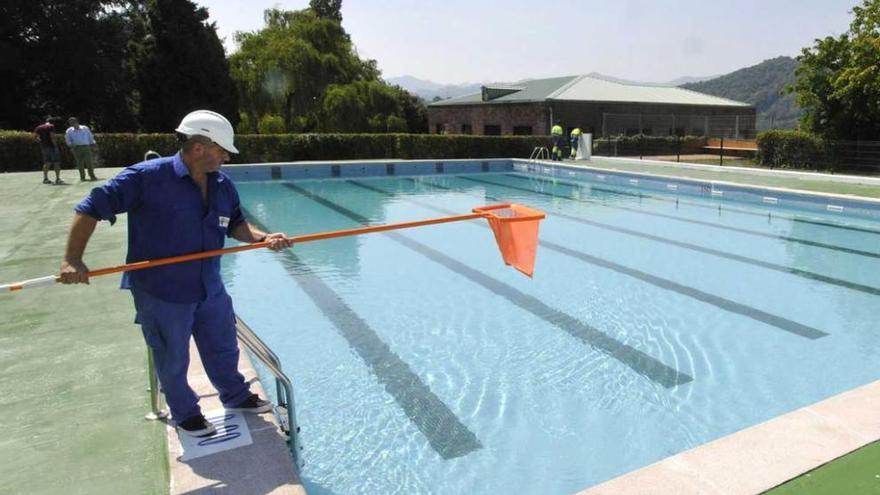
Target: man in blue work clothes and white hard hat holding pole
{"type": "Point", "coordinates": [179, 205]}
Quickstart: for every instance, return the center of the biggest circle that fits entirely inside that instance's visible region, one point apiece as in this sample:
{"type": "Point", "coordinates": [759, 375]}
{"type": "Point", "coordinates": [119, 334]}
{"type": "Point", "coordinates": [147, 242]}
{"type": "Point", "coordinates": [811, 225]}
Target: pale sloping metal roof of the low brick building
{"type": "Point", "coordinates": [597, 89]}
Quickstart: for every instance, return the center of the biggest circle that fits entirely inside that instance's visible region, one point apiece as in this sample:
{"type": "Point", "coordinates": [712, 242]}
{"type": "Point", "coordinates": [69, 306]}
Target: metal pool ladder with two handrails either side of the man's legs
{"type": "Point", "coordinates": [285, 410]}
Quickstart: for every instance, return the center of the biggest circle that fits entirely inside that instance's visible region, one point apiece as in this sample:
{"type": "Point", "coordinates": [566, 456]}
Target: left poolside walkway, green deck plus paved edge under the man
{"type": "Point", "coordinates": [74, 373]}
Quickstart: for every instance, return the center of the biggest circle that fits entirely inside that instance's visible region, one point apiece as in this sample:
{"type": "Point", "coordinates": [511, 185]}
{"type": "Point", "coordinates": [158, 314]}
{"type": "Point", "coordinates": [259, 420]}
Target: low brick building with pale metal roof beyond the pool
{"type": "Point", "coordinates": [599, 105]}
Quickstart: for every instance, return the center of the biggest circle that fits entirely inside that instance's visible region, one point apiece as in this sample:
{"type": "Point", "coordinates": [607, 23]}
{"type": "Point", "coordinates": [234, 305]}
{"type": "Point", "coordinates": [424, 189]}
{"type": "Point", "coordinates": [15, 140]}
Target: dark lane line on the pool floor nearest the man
{"type": "Point", "coordinates": [445, 433]}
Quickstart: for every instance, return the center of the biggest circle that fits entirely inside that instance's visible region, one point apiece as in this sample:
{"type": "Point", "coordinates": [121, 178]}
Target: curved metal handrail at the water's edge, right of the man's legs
{"type": "Point", "coordinates": [283, 386]}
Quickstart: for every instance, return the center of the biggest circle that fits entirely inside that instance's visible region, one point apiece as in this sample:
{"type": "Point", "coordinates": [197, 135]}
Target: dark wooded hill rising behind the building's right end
{"type": "Point", "coordinates": [761, 85]}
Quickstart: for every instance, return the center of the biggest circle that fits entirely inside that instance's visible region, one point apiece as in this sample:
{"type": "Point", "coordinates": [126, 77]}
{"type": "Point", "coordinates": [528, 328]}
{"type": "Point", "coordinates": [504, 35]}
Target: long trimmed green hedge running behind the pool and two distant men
{"type": "Point", "coordinates": [20, 152]}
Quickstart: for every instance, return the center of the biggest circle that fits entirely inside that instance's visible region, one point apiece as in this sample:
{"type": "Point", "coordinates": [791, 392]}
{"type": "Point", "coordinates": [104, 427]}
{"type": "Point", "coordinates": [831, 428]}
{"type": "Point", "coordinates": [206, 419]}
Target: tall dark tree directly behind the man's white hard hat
{"type": "Point", "coordinates": [181, 65]}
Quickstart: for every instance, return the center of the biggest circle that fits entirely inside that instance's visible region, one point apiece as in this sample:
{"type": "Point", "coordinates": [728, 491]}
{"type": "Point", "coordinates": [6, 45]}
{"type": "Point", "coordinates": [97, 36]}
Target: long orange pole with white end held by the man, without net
{"type": "Point", "coordinates": [140, 265]}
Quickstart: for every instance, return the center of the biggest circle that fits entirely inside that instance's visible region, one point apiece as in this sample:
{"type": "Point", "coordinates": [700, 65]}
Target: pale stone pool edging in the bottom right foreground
{"type": "Point", "coordinates": [765, 455]}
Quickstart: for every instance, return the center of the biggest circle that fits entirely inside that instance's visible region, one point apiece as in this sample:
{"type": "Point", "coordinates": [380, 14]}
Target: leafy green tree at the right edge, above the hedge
{"type": "Point", "coordinates": [838, 81]}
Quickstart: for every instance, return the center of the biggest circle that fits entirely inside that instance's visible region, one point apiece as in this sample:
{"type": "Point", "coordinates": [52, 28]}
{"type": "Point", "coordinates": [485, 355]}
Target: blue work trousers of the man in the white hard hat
{"type": "Point", "coordinates": [167, 328]}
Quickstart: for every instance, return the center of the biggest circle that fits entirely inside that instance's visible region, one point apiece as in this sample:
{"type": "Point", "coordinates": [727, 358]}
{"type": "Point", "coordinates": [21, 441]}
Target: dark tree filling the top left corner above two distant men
{"type": "Point", "coordinates": [65, 58]}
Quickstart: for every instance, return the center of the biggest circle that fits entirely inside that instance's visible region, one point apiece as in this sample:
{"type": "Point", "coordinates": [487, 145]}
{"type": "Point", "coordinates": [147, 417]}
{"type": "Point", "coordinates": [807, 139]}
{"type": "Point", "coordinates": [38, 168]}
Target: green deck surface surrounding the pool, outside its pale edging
{"type": "Point", "coordinates": [74, 365]}
